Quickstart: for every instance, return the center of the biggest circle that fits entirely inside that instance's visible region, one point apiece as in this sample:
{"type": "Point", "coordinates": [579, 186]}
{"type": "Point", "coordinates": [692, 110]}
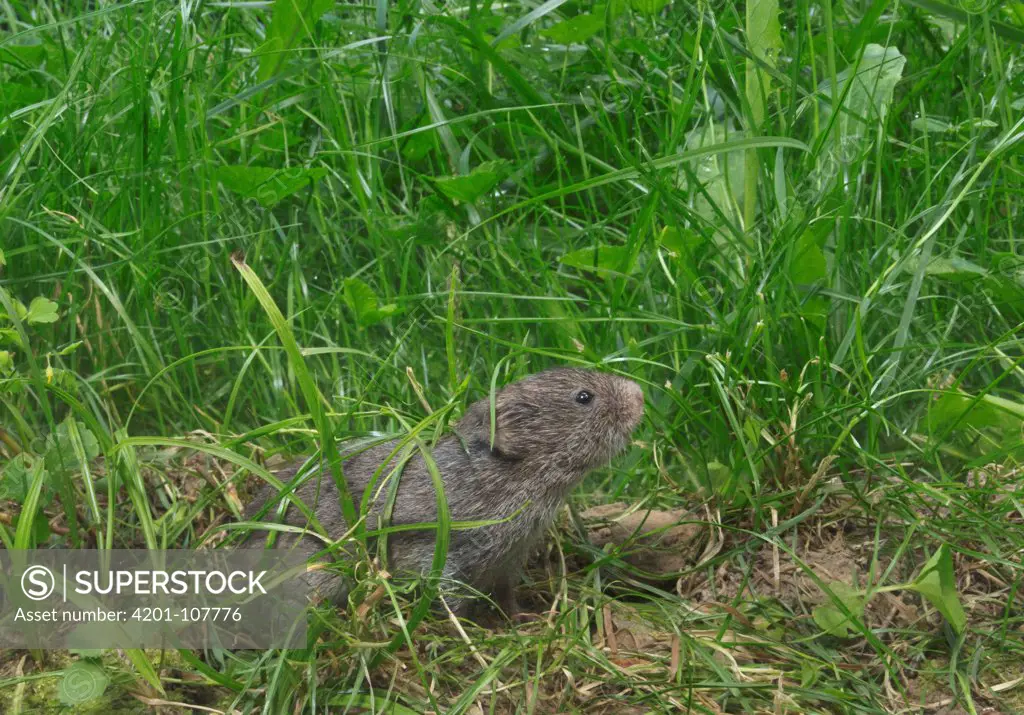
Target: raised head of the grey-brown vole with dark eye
{"type": "Point", "coordinates": [568, 418]}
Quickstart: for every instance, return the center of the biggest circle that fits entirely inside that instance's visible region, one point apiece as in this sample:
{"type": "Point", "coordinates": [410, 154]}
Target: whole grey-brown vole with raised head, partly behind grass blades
{"type": "Point", "coordinates": [549, 431]}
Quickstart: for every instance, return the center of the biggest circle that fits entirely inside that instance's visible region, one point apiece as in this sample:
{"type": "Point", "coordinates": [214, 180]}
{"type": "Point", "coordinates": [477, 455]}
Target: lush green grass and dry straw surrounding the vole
{"type": "Point", "coordinates": [818, 281]}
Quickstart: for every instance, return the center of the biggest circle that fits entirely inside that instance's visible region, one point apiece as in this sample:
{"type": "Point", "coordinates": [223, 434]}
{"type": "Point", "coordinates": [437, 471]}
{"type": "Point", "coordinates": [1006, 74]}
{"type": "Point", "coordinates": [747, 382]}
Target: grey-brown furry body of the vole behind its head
{"type": "Point", "coordinates": [474, 493]}
